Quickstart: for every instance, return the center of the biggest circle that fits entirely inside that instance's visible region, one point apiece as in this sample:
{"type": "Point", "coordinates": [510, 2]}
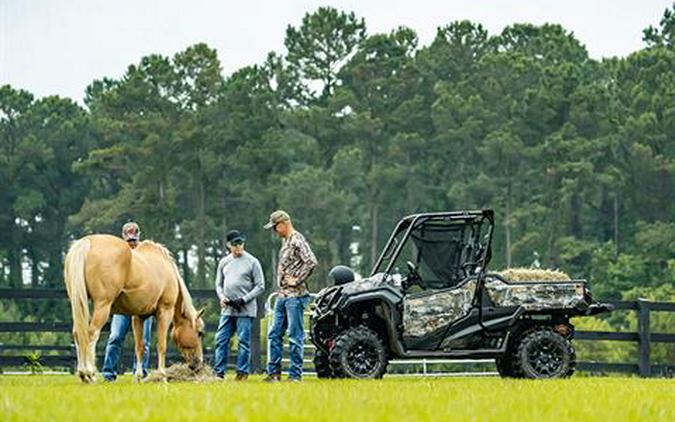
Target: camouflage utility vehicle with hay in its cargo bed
{"type": "Point", "coordinates": [429, 296]}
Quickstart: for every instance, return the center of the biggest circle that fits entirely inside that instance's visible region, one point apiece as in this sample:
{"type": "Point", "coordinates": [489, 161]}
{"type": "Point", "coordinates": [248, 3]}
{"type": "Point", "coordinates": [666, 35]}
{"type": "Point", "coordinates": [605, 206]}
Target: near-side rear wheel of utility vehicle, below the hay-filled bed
{"type": "Point", "coordinates": [543, 353]}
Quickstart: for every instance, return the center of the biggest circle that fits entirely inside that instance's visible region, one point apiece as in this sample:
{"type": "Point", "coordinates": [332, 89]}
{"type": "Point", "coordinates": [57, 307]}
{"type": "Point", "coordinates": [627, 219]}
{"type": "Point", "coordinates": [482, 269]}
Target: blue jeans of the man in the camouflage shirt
{"type": "Point", "coordinates": [288, 314]}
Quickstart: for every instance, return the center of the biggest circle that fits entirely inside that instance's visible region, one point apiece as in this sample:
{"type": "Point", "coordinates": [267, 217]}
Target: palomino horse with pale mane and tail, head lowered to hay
{"type": "Point", "coordinates": [140, 282]}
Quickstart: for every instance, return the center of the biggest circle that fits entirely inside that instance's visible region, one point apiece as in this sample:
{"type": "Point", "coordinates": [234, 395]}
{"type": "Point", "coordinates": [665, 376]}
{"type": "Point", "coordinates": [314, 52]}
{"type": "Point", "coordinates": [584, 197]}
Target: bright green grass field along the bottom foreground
{"type": "Point", "coordinates": [62, 397]}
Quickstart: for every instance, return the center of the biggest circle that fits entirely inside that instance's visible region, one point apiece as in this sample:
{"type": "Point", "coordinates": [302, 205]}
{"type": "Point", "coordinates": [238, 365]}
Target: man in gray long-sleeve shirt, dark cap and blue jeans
{"type": "Point", "coordinates": [239, 280]}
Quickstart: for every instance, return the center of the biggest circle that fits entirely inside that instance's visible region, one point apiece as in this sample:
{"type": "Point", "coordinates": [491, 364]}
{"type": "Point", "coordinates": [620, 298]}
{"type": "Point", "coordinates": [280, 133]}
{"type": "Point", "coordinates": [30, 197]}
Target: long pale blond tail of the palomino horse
{"type": "Point", "coordinates": [73, 273]}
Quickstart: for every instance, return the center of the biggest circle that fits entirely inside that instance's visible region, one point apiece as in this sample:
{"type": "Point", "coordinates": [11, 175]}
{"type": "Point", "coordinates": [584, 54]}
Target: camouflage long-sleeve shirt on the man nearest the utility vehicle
{"type": "Point", "coordinates": [297, 260]}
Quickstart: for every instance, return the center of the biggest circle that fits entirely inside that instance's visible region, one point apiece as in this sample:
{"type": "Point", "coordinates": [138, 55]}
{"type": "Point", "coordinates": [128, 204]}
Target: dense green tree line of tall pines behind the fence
{"type": "Point", "coordinates": [349, 131]}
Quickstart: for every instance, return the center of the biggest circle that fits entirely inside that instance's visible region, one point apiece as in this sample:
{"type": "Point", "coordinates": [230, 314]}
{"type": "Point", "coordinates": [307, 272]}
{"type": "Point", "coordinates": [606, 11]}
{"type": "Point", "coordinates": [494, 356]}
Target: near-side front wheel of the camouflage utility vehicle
{"type": "Point", "coordinates": [359, 353]}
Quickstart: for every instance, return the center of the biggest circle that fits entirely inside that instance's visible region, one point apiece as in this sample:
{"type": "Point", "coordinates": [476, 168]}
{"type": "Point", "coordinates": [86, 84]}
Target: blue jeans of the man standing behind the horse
{"type": "Point", "coordinates": [119, 326]}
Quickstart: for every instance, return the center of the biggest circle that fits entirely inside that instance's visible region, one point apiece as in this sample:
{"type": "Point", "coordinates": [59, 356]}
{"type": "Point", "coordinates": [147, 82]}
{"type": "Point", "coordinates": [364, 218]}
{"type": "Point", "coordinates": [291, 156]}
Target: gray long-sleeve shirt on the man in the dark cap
{"type": "Point", "coordinates": [240, 277]}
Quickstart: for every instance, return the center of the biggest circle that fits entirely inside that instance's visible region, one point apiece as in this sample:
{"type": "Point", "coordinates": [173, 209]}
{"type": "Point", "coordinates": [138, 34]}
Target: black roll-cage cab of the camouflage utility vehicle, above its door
{"type": "Point", "coordinates": [443, 248]}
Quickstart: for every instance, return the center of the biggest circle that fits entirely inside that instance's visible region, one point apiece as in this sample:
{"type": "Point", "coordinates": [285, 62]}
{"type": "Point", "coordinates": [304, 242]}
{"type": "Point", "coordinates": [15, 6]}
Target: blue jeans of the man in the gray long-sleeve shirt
{"type": "Point", "coordinates": [226, 327]}
